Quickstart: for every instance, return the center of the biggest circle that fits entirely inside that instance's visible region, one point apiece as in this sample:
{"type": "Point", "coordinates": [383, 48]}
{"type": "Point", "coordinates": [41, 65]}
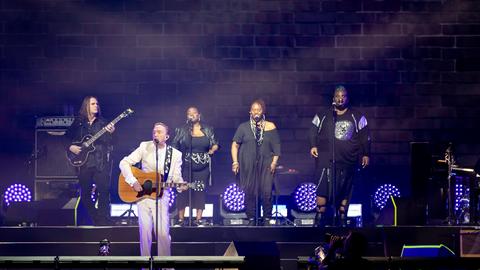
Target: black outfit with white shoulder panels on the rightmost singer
{"type": "Point", "coordinates": [352, 142]}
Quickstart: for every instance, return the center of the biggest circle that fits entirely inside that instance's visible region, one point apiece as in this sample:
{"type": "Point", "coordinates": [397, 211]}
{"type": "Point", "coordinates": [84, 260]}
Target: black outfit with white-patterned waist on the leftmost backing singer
{"type": "Point", "coordinates": [200, 165]}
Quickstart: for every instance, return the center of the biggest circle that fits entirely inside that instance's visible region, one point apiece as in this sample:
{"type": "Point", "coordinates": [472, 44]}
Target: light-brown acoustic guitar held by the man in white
{"type": "Point", "coordinates": [148, 183]}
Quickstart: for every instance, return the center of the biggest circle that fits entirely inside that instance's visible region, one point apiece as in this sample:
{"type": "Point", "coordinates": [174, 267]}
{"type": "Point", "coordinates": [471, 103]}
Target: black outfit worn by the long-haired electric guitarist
{"type": "Point", "coordinates": [95, 170]}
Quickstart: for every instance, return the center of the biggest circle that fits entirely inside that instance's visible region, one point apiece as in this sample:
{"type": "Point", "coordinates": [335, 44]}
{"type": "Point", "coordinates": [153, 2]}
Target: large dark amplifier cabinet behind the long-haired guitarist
{"type": "Point", "coordinates": [50, 156]}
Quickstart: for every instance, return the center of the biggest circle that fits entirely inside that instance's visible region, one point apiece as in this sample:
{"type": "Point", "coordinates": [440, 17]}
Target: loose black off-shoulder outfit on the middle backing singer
{"type": "Point", "coordinates": [255, 157]}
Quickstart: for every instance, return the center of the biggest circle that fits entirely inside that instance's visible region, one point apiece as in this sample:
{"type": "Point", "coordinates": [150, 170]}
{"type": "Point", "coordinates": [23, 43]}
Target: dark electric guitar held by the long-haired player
{"type": "Point", "coordinates": [86, 143]}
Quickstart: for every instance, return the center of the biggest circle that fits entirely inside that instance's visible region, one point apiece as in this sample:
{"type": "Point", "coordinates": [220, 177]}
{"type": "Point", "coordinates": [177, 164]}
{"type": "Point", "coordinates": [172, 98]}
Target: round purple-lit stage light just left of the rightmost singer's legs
{"type": "Point", "coordinates": [304, 197]}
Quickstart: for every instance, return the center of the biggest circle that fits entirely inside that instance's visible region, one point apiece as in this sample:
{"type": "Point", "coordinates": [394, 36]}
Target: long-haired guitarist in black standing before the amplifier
{"type": "Point", "coordinates": [96, 167]}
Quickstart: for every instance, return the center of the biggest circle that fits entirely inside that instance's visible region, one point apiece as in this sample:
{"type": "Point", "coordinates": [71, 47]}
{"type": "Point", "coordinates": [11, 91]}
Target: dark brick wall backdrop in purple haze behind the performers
{"type": "Point", "coordinates": [411, 66]}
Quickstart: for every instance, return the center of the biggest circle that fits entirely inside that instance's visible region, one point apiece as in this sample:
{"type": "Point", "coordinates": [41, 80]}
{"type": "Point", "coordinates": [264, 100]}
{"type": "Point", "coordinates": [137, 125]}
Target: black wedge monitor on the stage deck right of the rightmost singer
{"type": "Point", "coordinates": [402, 211]}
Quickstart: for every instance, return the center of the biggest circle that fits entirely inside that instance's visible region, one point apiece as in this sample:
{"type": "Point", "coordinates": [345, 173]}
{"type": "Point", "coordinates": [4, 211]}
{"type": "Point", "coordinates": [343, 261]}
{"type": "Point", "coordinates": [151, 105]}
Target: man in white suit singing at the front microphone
{"type": "Point", "coordinates": [169, 165]}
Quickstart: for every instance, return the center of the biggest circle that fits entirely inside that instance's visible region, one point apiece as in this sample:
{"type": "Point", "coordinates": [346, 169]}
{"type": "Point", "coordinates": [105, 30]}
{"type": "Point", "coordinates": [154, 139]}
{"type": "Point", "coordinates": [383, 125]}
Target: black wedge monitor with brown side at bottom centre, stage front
{"type": "Point", "coordinates": [258, 255]}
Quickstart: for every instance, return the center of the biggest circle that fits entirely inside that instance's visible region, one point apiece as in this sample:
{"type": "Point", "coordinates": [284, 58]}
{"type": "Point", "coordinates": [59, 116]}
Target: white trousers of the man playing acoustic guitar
{"type": "Point", "coordinates": [146, 225]}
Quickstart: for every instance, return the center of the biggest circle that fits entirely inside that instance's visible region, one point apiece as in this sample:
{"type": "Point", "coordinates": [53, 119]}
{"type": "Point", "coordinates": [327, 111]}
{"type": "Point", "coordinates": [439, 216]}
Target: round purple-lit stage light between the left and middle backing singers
{"type": "Point", "coordinates": [232, 207]}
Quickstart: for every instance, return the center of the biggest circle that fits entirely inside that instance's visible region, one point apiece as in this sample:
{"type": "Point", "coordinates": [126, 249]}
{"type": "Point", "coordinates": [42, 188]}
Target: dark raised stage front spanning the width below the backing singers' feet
{"type": "Point", "coordinates": [292, 242]}
